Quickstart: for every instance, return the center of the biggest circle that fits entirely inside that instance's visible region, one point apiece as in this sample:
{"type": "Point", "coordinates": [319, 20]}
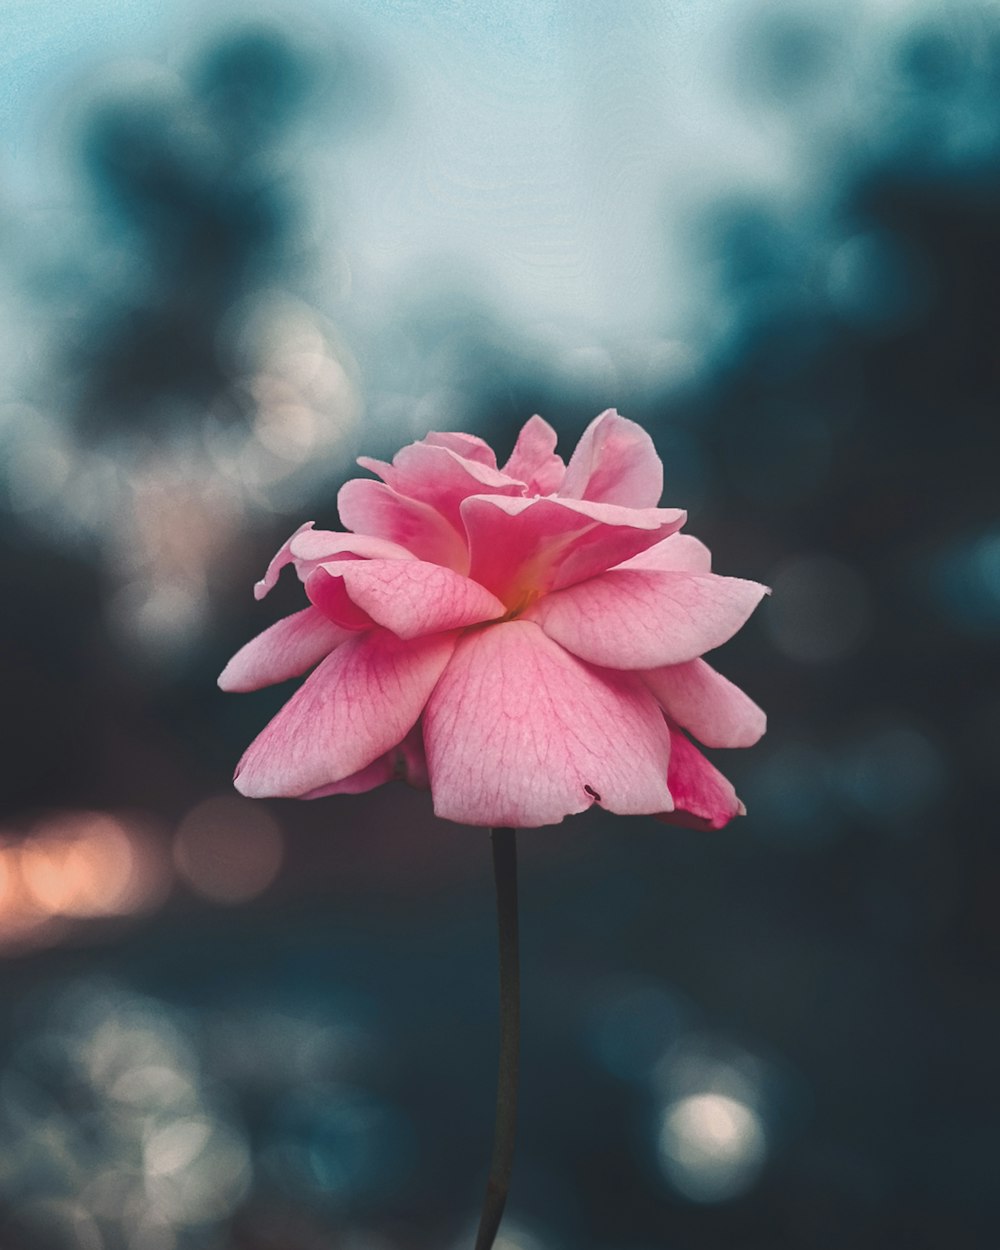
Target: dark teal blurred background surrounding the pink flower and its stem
{"type": "Point", "coordinates": [237, 253]}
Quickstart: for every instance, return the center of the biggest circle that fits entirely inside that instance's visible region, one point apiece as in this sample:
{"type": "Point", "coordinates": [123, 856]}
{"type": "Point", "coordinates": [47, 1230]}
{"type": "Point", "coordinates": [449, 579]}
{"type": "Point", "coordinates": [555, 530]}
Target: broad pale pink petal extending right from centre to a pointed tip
{"type": "Point", "coordinates": [646, 619]}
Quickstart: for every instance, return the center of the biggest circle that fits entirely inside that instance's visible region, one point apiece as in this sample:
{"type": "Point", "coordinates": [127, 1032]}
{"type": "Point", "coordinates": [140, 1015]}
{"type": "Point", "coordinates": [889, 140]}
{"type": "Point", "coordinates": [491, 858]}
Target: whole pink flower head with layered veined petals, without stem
{"type": "Point", "coordinates": [524, 641]}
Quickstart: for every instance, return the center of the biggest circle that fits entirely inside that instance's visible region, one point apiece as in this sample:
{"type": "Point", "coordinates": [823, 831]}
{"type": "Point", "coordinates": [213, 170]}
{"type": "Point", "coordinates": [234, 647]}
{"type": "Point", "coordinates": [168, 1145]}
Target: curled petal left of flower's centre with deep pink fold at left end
{"type": "Point", "coordinates": [408, 597]}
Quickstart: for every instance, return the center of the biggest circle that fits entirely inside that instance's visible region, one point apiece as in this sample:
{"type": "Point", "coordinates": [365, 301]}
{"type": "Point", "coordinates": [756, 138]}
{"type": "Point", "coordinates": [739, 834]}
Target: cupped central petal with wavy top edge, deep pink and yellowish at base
{"type": "Point", "coordinates": [523, 548]}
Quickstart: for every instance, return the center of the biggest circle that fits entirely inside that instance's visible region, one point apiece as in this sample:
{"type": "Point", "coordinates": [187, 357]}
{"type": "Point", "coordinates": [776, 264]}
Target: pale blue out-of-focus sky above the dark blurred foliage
{"type": "Point", "coordinates": [554, 152]}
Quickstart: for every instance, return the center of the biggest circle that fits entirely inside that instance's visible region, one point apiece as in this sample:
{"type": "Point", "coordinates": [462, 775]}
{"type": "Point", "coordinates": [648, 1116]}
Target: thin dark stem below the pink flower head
{"type": "Point", "coordinates": [506, 876]}
